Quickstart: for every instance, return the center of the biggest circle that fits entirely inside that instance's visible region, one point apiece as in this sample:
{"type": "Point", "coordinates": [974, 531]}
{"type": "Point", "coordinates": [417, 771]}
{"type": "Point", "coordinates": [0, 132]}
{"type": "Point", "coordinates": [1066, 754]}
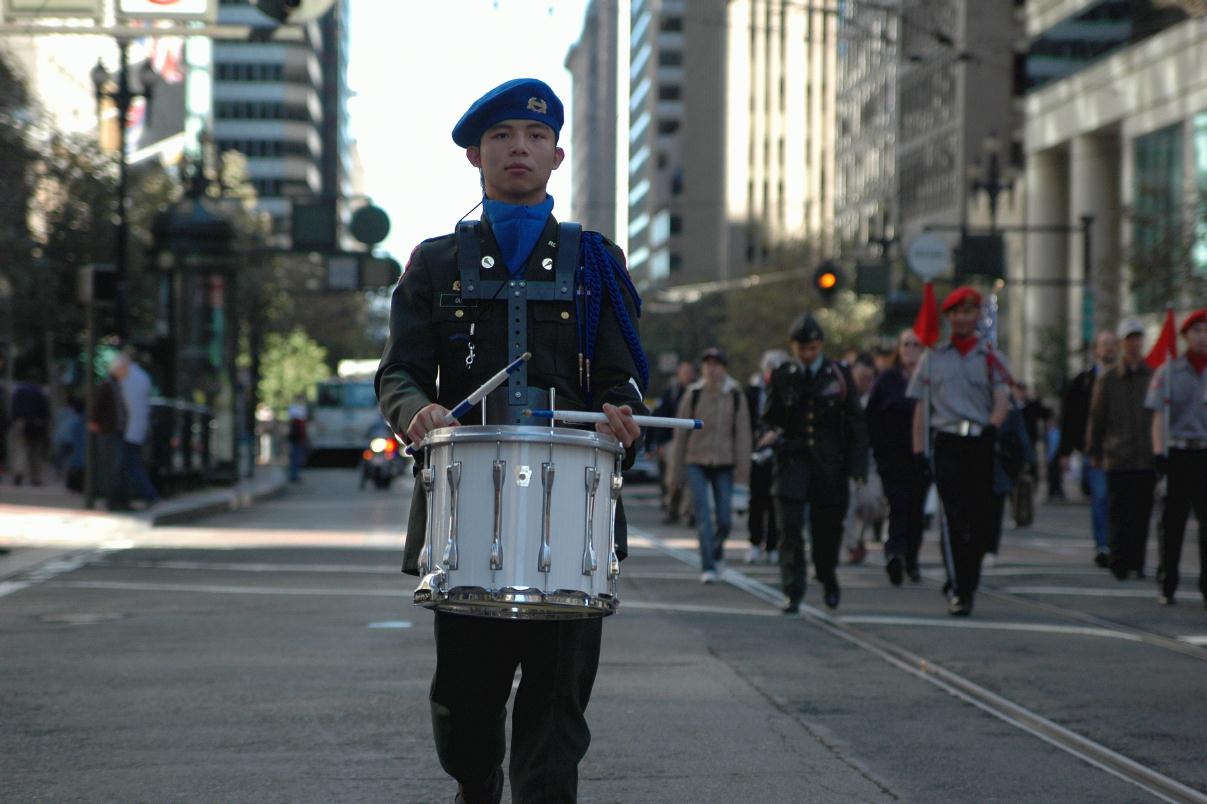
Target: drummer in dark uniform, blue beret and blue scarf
{"type": "Point", "coordinates": [467, 306]}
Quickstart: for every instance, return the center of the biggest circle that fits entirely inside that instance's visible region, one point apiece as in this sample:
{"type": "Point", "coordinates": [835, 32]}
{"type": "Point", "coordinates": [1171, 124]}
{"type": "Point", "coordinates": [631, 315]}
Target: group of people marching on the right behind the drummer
{"type": "Point", "coordinates": [938, 432]}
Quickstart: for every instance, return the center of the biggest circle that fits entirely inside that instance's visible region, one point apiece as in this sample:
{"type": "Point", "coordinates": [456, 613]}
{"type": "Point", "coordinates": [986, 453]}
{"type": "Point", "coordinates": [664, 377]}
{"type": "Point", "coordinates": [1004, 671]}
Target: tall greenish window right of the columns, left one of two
{"type": "Point", "coordinates": [1157, 212]}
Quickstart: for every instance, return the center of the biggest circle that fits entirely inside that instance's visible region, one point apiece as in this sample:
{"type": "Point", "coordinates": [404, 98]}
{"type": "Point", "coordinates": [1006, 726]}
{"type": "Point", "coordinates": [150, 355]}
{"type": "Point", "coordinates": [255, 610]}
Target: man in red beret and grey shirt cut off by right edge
{"type": "Point", "coordinates": [1181, 448]}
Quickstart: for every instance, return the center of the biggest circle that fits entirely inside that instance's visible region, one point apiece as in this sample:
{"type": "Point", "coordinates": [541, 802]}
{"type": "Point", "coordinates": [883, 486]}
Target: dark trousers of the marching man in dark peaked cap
{"type": "Point", "coordinates": [826, 518]}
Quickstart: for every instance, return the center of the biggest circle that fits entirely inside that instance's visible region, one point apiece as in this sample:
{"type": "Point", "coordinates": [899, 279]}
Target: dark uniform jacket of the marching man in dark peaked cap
{"type": "Point", "coordinates": [824, 439]}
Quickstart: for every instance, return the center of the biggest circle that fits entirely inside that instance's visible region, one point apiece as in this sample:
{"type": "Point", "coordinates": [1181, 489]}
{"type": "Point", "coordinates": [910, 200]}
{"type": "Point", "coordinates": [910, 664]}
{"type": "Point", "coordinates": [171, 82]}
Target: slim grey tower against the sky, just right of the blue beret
{"type": "Point", "coordinates": [592, 63]}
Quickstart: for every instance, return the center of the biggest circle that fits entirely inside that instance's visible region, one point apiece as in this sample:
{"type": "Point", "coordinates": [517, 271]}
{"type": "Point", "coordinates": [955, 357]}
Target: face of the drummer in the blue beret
{"type": "Point", "coordinates": [516, 159]}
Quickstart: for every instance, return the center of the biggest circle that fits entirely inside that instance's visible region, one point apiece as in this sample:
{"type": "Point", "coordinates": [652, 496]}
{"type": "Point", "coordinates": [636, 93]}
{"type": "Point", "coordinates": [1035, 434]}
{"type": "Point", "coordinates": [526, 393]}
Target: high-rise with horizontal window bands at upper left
{"type": "Point", "coordinates": [281, 101]}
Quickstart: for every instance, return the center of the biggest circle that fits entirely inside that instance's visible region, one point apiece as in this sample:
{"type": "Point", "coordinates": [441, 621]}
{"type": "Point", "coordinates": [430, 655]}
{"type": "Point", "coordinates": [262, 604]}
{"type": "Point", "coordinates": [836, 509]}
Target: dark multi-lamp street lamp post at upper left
{"type": "Point", "coordinates": [123, 97]}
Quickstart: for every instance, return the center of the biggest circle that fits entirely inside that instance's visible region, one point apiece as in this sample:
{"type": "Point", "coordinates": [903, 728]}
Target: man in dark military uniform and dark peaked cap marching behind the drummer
{"type": "Point", "coordinates": [817, 424]}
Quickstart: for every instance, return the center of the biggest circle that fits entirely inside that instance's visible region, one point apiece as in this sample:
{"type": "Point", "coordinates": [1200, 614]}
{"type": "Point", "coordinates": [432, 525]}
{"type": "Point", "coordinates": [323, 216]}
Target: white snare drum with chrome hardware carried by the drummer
{"type": "Point", "coordinates": [521, 522]}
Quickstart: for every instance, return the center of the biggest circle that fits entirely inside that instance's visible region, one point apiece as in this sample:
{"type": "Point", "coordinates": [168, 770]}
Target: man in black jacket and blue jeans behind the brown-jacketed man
{"type": "Point", "coordinates": [1075, 416]}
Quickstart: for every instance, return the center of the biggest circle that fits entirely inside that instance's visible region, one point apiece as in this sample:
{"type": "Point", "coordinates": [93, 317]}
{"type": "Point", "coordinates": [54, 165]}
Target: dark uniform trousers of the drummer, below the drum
{"type": "Point", "coordinates": [476, 661]}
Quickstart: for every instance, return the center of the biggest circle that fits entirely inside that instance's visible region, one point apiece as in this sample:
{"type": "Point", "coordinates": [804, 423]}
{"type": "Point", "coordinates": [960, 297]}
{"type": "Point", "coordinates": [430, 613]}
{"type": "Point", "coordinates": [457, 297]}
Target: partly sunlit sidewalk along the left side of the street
{"type": "Point", "coordinates": [42, 523]}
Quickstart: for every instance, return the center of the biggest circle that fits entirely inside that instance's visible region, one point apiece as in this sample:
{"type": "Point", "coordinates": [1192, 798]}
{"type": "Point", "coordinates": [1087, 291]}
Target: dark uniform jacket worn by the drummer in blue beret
{"type": "Point", "coordinates": [430, 336]}
